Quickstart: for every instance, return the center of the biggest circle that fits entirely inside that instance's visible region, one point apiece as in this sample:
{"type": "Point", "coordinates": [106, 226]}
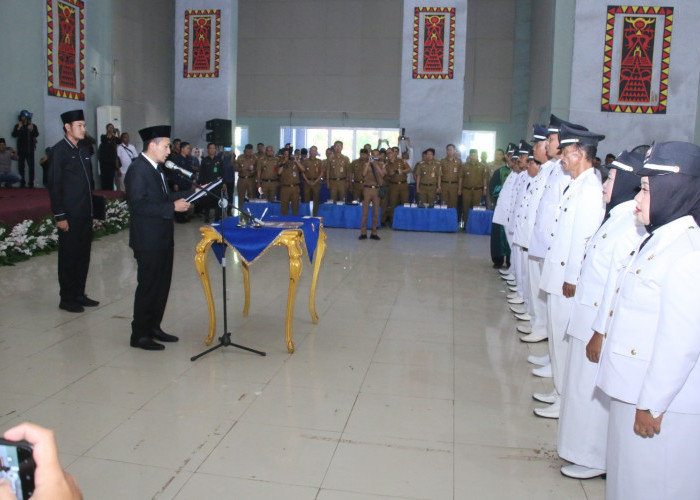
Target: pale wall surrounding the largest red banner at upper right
{"type": "Point", "coordinates": [626, 130]}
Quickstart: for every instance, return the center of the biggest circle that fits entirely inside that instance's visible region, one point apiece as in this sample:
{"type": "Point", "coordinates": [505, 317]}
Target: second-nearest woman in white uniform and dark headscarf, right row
{"type": "Point", "coordinates": [583, 421]}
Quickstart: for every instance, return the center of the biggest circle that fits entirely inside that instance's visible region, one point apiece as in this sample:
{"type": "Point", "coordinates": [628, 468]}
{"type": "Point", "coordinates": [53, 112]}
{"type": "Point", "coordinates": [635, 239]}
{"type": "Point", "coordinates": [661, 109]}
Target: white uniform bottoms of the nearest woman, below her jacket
{"type": "Point", "coordinates": [664, 466]}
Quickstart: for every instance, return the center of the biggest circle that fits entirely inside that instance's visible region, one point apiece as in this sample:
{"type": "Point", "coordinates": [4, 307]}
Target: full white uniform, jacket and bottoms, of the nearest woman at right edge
{"type": "Point", "coordinates": [650, 361]}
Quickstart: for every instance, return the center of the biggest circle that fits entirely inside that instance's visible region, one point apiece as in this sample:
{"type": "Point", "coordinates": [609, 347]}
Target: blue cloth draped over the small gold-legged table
{"type": "Point", "coordinates": [251, 242]}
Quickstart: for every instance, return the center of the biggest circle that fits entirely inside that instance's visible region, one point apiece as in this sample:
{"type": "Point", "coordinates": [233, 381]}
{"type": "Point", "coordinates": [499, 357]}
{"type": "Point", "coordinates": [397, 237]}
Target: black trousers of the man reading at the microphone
{"type": "Point", "coordinates": [155, 270]}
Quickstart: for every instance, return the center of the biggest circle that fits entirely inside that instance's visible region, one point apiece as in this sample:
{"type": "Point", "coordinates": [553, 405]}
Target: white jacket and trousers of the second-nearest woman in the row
{"type": "Point", "coordinates": [583, 418]}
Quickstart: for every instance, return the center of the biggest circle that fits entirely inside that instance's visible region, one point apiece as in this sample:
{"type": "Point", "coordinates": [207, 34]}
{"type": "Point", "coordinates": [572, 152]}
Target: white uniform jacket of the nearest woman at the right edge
{"type": "Point", "coordinates": [650, 355]}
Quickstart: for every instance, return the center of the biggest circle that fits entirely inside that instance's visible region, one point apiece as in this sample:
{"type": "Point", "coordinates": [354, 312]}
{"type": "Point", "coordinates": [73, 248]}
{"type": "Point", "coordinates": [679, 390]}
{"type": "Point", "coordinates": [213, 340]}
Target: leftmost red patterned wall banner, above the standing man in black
{"type": "Point", "coordinates": [65, 48]}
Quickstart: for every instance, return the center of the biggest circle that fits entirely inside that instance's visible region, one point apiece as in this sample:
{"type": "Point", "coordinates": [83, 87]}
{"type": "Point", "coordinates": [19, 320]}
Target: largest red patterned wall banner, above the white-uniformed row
{"type": "Point", "coordinates": [637, 59]}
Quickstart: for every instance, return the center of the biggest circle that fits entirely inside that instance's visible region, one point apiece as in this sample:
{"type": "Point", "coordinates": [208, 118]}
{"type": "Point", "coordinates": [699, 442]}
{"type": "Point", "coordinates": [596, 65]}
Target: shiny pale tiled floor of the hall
{"type": "Point", "coordinates": [412, 385]}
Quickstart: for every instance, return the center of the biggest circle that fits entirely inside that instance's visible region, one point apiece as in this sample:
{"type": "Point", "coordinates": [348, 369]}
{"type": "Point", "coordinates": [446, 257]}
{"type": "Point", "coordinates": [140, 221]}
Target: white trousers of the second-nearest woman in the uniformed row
{"type": "Point", "coordinates": [583, 419]}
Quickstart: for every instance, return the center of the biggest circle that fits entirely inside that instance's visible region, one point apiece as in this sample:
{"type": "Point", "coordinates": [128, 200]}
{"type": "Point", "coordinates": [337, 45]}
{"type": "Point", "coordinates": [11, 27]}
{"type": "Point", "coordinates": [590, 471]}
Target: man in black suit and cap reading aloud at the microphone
{"type": "Point", "coordinates": [151, 207]}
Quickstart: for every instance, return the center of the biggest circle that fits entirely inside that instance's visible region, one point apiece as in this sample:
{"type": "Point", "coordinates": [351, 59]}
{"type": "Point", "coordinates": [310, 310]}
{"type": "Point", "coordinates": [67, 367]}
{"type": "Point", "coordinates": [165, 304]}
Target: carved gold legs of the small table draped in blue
{"type": "Point", "coordinates": [292, 239]}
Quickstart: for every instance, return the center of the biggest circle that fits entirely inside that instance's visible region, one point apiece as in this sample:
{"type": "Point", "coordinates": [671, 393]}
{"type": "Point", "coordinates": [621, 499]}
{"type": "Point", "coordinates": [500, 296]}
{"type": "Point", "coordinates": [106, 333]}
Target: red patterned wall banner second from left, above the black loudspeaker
{"type": "Point", "coordinates": [202, 43]}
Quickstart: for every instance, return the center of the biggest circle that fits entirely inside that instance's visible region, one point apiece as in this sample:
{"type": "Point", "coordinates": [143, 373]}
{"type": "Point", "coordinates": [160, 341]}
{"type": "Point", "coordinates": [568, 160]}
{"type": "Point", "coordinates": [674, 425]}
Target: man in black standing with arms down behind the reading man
{"type": "Point", "coordinates": [70, 189]}
